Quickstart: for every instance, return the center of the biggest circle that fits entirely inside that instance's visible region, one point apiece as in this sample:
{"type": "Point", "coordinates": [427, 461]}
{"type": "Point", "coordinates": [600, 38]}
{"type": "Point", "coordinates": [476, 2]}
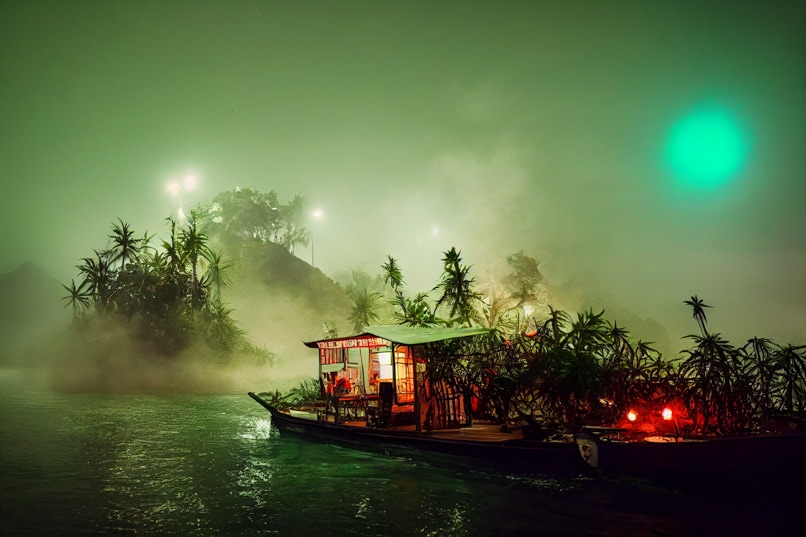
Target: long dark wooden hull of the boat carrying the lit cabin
{"type": "Point", "coordinates": [476, 446]}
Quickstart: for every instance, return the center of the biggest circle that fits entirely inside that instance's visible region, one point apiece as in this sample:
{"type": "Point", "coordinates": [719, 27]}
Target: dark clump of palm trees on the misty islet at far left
{"type": "Point", "coordinates": [162, 295]}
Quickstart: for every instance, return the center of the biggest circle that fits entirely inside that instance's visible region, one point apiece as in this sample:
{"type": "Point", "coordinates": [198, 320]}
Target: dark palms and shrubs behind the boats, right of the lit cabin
{"type": "Point", "coordinates": [558, 371]}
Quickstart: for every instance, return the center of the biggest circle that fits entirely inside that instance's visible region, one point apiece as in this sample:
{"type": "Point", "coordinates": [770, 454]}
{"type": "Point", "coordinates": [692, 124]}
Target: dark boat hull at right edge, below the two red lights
{"type": "Point", "coordinates": [771, 458]}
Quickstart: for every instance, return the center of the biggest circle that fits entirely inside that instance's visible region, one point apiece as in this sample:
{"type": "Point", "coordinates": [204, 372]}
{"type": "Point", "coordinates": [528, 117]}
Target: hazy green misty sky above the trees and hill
{"type": "Point", "coordinates": [548, 127]}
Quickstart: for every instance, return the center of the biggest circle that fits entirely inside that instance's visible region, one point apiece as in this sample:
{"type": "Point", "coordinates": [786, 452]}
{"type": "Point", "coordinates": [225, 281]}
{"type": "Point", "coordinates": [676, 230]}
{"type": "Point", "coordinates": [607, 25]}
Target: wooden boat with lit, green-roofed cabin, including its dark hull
{"type": "Point", "coordinates": [377, 395]}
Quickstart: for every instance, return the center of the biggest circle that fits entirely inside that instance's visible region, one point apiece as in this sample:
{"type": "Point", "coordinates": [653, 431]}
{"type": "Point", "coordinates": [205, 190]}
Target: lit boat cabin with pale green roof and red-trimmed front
{"type": "Point", "coordinates": [380, 377]}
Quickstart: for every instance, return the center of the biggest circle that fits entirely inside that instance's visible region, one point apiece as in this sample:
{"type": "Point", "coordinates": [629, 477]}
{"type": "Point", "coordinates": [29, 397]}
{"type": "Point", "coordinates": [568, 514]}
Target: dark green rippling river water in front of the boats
{"type": "Point", "coordinates": [90, 464]}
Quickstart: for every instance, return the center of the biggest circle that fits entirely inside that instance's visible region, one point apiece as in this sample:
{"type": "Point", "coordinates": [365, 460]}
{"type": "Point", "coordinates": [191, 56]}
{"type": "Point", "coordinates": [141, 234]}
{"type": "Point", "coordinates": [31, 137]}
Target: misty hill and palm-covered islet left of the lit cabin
{"type": "Point", "coordinates": [140, 301]}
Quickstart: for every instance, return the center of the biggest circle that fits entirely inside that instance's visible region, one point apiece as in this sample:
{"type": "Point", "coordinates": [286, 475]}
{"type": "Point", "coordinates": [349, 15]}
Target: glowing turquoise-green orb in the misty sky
{"type": "Point", "coordinates": [706, 148]}
